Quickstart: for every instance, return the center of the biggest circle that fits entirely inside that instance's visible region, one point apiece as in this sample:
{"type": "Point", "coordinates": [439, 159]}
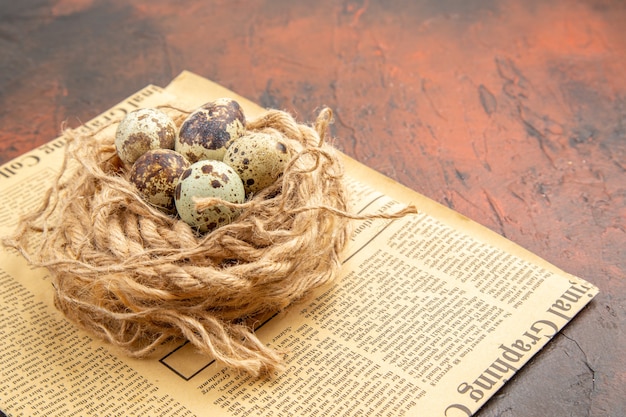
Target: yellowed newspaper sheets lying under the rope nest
{"type": "Point", "coordinates": [432, 314]}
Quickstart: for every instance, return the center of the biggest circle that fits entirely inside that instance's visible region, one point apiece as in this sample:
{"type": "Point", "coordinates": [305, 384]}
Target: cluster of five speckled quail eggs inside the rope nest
{"type": "Point", "coordinates": [210, 155]}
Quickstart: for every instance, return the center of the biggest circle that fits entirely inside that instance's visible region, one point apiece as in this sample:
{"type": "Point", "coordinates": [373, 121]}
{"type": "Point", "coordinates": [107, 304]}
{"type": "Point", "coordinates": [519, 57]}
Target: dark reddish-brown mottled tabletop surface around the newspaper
{"type": "Point", "coordinates": [512, 112]}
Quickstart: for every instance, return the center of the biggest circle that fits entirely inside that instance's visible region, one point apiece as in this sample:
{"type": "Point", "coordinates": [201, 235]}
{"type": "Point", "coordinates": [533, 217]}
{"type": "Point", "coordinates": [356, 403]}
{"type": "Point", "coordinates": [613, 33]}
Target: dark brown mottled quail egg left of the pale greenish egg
{"type": "Point", "coordinates": [156, 174]}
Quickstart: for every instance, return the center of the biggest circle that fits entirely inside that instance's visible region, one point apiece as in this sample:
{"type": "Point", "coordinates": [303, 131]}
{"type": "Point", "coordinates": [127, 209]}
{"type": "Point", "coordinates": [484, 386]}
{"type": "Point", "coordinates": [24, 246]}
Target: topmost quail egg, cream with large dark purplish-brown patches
{"type": "Point", "coordinates": [209, 130]}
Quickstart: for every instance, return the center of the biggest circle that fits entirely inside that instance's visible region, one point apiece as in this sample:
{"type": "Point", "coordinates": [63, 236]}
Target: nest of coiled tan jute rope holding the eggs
{"type": "Point", "coordinates": [136, 277]}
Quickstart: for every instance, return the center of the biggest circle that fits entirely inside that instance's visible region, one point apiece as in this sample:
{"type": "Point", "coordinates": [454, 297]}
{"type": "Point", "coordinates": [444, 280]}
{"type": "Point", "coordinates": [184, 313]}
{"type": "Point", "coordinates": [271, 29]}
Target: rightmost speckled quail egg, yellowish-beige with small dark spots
{"type": "Point", "coordinates": [259, 158]}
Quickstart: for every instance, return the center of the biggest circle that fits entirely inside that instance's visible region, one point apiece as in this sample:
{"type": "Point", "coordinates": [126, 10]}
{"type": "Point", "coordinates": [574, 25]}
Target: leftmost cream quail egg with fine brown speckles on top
{"type": "Point", "coordinates": [142, 130]}
